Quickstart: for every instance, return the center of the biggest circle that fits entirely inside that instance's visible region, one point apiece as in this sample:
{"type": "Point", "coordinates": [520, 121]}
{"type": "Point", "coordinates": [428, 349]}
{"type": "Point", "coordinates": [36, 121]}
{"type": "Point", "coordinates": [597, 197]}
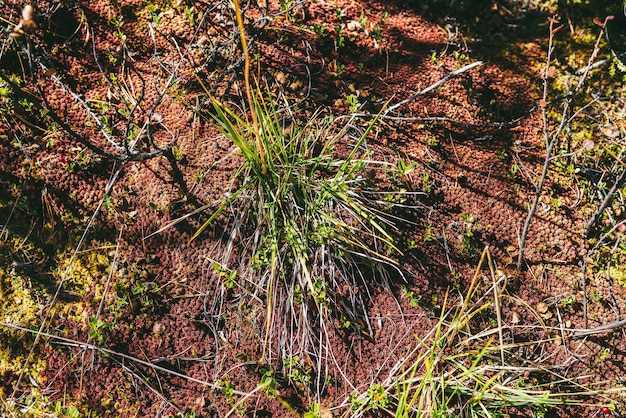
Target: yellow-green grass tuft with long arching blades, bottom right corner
{"type": "Point", "coordinates": [463, 369]}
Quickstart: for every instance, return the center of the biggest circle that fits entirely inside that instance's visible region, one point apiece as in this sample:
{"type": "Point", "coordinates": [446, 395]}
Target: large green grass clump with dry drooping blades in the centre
{"type": "Point", "coordinates": [306, 218]}
